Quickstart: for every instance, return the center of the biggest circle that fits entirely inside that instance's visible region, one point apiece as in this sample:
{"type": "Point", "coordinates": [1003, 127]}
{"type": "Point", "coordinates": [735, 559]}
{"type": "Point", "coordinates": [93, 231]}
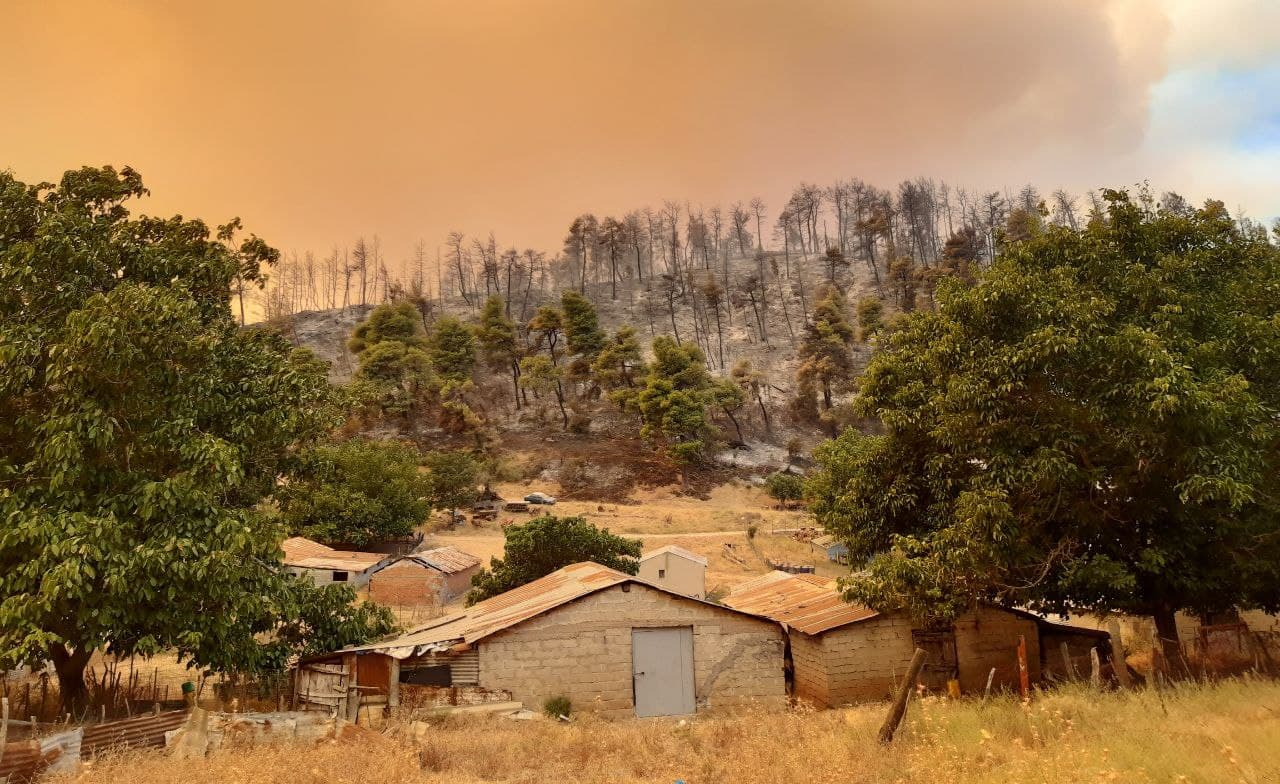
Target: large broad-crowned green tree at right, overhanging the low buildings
{"type": "Point", "coordinates": [1095, 425]}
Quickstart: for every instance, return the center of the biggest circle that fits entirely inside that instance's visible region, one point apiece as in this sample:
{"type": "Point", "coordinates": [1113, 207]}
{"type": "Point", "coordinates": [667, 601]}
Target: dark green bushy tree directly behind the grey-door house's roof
{"type": "Point", "coordinates": [547, 544]}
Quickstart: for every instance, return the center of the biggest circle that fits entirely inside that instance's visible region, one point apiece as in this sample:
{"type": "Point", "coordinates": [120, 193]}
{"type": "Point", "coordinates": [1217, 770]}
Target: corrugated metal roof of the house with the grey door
{"type": "Point", "coordinates": [515, 607]}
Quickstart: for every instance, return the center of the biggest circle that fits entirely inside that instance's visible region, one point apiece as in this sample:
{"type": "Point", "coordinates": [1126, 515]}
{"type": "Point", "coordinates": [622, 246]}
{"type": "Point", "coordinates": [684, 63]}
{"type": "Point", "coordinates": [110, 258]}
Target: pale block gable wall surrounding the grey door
{"type": "Point", "coordinates": [583, 651]}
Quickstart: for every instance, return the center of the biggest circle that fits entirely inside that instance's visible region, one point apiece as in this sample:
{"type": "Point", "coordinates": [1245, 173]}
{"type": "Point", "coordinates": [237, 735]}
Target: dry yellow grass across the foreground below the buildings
{"type": "Point", "coordinates": [1224, 733]}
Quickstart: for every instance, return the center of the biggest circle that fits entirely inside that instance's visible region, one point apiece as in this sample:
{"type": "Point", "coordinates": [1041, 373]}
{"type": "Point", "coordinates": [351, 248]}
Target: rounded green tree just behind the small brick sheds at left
{"type": "Point", "coordinates": [356, 494]}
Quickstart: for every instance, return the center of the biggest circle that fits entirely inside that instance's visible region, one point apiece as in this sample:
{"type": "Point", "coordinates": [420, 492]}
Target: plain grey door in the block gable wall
{"type": "Point", "coordinates": [662, 671]}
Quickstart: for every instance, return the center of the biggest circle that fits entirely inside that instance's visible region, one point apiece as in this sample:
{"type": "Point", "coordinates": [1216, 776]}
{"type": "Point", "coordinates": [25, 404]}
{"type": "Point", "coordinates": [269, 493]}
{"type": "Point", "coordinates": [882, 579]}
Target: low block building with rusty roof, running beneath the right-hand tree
{"type": "Point", "coordinates": [842, 653]}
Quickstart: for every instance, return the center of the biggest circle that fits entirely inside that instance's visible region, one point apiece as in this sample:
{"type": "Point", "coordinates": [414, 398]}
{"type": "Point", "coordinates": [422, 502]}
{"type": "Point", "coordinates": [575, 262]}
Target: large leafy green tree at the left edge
{"type": "Point", "coordinates": [140, 429]}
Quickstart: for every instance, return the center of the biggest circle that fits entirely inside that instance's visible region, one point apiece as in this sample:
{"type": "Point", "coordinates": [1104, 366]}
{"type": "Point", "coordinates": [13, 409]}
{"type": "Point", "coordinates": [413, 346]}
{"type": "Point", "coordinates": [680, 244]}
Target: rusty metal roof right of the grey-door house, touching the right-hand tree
{"type": "Point", "coordinates": [804, 603]}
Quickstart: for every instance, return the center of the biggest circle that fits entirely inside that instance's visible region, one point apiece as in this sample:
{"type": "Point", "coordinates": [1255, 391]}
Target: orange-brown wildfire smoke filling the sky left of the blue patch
{"type": "Point", "coordinates": [319, 122]}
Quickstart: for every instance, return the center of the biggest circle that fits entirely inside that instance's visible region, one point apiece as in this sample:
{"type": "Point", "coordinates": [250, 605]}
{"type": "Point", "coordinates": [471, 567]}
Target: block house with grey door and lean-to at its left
{"type": "Point", "coordinates": [607, 641]}
